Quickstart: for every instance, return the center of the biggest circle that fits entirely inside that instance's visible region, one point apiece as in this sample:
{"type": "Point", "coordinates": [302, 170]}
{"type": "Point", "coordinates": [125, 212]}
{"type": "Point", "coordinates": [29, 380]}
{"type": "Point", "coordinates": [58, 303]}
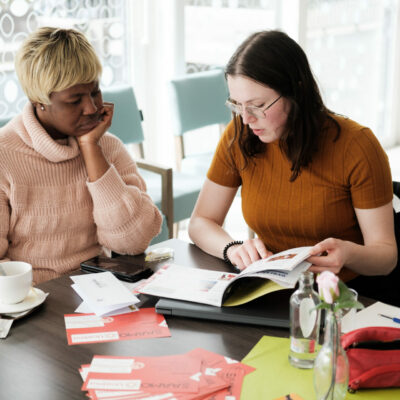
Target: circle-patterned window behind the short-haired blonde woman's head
{"type": "Point", "coordinates": [102, 21]}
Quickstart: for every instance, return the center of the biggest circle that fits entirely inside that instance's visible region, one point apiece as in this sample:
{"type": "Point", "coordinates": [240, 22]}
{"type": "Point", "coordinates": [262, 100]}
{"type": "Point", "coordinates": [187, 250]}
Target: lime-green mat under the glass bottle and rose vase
{"type": "Point", "coordinates": [275, 377]}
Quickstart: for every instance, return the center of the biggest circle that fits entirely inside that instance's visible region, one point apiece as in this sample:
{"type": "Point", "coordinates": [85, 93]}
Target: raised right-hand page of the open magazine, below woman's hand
{"type": "Point", "coordinates": [284, 261]}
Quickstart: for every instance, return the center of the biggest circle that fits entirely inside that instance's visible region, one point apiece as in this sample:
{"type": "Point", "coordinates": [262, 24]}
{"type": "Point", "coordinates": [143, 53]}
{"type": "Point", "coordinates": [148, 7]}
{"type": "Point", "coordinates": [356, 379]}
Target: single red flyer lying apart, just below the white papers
{"type": "Point", "coordinates": [90, 328]}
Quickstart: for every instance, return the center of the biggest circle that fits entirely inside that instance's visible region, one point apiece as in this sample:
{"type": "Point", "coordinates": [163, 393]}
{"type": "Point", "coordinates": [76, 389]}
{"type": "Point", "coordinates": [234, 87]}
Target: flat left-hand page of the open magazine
{"type": "Point", "coordinates": [189, 284]}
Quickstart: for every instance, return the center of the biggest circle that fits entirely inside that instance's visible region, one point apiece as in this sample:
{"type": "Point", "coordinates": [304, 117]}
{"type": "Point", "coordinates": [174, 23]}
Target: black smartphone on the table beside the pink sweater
{"type": "Point", "coordinates": [121, 267]}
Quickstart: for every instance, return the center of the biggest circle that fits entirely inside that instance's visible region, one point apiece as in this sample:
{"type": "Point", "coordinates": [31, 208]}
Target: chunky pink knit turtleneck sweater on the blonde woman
{"type": "Point", "coordinates": [51, 216]}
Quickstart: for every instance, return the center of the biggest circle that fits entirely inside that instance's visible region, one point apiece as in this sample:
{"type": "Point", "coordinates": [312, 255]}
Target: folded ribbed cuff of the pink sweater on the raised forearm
{"type": "Point", "coordinates": [107, 190]}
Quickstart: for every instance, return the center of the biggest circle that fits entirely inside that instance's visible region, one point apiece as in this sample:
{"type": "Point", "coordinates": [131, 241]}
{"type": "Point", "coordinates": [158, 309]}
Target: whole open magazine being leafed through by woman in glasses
{"type": "Point", "coordinates": [279, 271]}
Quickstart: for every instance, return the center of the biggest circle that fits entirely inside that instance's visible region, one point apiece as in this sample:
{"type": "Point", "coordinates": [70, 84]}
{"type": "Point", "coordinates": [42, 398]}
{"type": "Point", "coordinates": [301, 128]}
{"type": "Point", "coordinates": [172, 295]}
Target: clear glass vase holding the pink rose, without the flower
{"type": "Point", "coordinates": [331, 367]}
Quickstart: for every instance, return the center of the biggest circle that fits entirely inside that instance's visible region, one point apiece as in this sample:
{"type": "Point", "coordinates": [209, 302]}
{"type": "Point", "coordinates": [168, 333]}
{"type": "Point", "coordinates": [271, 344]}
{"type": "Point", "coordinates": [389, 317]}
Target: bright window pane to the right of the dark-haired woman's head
{"type": "Point", "coordinates": [351, 48]}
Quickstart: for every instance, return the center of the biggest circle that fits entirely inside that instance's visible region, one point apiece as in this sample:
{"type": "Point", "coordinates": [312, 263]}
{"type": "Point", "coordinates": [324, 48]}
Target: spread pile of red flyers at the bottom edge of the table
{"type": "Point", "coordinates": [198, 374]}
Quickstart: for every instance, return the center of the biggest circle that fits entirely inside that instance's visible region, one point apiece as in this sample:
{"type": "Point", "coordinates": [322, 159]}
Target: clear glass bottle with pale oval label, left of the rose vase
{"type": "Point", "coordinates": [304, 323]}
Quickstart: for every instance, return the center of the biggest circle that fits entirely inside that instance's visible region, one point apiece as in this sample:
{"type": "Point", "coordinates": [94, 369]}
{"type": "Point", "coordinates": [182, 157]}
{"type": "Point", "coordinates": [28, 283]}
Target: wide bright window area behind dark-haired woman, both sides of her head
{"type": "Point", "coordinates": [352, 46]}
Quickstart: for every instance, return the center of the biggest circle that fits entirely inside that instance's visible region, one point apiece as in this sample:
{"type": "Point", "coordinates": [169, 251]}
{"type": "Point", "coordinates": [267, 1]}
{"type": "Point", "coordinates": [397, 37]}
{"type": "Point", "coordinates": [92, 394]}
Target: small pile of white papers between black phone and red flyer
{"type": "Point", "coordinates": [103, 294]}
